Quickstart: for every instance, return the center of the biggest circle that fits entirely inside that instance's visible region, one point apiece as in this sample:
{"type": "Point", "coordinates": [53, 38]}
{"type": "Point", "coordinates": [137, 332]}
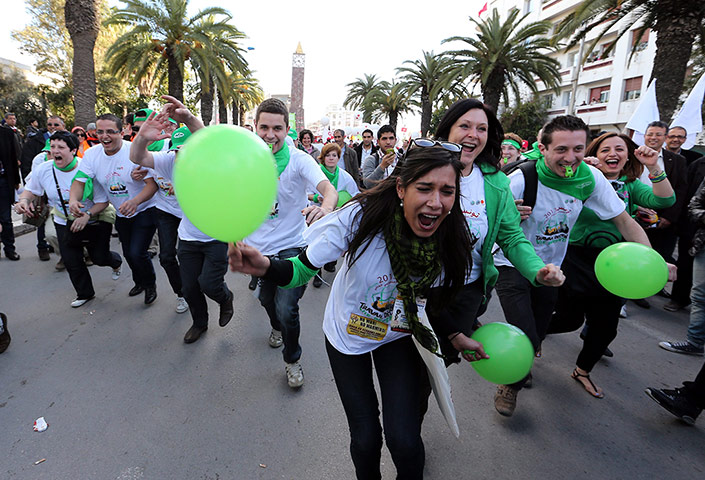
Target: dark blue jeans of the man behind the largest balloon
{"type": "Point", "coordinates": [282, 306]}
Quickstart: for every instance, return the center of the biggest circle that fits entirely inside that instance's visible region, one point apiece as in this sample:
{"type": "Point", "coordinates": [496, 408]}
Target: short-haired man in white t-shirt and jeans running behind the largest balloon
{"type": "Point", "coordinates": [281, 235]}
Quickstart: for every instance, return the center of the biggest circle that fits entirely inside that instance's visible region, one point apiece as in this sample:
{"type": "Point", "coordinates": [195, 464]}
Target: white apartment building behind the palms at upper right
{"type": "Point", "coordinates": [604, 91]}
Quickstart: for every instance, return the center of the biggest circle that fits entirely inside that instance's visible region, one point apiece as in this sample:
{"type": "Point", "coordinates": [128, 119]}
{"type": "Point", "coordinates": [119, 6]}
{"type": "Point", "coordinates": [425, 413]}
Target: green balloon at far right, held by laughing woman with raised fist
{"type": "Point", "coordinates": [631, 270]}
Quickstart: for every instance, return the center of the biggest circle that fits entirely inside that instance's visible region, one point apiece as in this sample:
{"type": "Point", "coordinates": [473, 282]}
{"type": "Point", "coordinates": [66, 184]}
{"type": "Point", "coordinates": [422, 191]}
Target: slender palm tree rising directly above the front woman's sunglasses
{"type": "Point", "coordinates": [430, 78]}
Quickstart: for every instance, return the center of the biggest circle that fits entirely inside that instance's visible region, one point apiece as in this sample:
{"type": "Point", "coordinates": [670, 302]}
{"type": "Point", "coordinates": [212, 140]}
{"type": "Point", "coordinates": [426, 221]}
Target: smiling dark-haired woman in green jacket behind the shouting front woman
{"type": "Point", "coordinates": [492, 217]}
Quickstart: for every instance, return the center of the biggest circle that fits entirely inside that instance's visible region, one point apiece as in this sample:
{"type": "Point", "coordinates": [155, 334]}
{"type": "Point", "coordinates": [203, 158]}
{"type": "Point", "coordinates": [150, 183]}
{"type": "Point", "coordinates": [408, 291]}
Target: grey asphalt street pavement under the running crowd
{"type": "Point", "coordinates": [125, 398]}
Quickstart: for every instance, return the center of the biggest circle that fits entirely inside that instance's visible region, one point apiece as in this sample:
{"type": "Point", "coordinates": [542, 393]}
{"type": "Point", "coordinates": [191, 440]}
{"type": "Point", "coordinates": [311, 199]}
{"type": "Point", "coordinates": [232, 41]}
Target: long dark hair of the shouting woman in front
{"type": "Point", "coordinates": [378, 205]}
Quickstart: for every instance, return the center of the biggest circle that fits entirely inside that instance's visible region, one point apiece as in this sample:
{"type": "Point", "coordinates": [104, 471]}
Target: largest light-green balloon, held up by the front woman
{"type": "Point", "coordinates": [226, 181]}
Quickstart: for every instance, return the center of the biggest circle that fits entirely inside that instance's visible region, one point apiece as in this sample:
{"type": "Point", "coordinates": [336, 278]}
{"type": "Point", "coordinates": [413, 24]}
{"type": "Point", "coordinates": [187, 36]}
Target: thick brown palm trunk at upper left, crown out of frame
{"type": "Point", "coordinates": [81, 17]}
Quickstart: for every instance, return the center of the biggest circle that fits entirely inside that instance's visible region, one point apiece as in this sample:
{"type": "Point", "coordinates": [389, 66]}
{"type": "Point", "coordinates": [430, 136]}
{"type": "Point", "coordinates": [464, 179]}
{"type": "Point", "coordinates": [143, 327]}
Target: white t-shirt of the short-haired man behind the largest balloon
{"type": "Point", "coordinates": [285, 225]}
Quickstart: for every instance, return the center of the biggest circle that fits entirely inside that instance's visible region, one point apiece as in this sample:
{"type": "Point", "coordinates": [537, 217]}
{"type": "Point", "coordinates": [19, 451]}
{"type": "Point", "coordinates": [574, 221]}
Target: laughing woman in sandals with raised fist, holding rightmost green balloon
{"type": "Point", "coordinates": [586, 299]}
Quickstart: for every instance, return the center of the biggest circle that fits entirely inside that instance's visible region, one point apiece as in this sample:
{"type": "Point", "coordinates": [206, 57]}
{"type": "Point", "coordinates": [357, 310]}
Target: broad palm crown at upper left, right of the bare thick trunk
{"type": "Point", "coordinates": [162, 39]}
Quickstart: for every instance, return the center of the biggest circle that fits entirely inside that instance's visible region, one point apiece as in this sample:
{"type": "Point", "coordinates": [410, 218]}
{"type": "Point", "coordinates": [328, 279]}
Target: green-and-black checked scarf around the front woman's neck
{"type": "Point", "coordinates": [412, 258]}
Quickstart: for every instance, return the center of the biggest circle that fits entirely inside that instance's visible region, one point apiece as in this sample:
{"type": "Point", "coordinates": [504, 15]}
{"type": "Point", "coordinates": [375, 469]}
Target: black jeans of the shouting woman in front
{"type": "Point", "coordinates": [403, 383]}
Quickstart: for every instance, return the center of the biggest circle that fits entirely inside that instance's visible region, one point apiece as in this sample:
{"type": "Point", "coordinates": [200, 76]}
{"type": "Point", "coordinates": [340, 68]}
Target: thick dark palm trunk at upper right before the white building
{"type": "Point", "coordinates": [676, 28]}
